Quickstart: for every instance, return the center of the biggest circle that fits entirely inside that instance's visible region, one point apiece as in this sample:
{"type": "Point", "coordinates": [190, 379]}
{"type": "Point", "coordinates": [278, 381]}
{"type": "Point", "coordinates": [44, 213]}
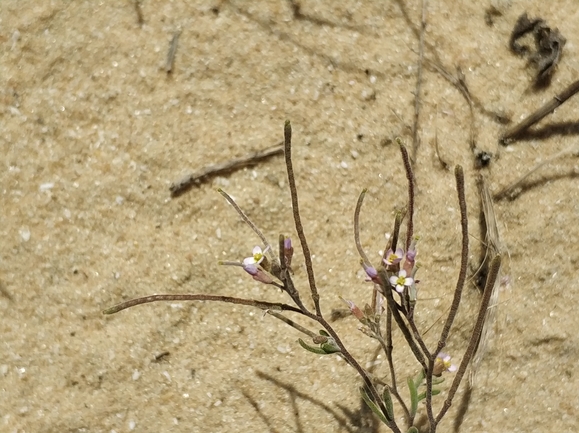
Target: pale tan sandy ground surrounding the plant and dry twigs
{"type": "Point", "coordinates": [94, 131]}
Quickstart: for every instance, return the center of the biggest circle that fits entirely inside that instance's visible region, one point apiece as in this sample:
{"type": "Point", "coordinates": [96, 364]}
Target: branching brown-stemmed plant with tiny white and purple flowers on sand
{"type": "Point", "coordinates": [393, 301]}
